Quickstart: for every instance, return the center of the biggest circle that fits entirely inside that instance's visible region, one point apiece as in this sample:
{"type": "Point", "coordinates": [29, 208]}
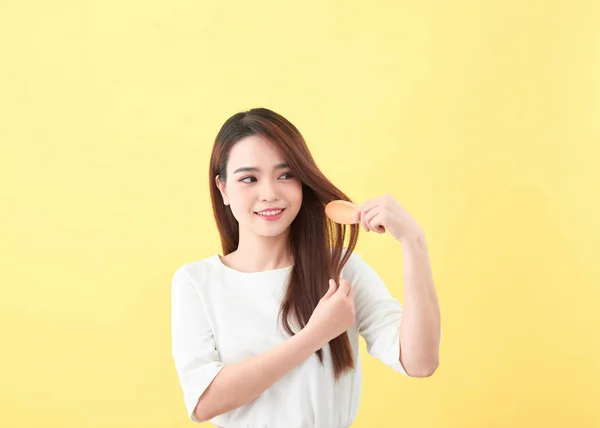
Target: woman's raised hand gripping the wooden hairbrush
{"type": "Point", "coordinates": [386, 214]}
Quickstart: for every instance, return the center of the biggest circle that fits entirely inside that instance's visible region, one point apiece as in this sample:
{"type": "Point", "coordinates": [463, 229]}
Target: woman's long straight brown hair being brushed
{"type": "Point", "coordinates": [316, 242]}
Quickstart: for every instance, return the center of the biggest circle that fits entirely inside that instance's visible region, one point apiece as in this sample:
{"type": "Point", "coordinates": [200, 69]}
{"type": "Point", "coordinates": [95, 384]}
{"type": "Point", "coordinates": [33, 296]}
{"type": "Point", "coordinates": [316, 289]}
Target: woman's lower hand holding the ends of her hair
{"type": "Point", "coordinates": [334, 313]}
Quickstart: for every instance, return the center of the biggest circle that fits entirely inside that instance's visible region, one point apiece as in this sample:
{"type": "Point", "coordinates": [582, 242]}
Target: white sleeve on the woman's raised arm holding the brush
{"type": "Point", "coordinates": [378, 314]}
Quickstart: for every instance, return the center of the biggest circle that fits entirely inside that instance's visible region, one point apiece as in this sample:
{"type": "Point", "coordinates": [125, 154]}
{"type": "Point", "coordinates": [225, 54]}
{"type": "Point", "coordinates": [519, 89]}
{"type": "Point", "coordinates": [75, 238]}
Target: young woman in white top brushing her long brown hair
{"type": "Point", "coordinates": [266, 335]}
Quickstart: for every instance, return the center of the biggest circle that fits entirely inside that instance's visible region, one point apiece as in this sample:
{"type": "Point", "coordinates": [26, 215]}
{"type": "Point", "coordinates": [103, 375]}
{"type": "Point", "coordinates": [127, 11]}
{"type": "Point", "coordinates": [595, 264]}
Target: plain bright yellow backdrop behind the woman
{"type": "Point", "coordinates": [481, 118]}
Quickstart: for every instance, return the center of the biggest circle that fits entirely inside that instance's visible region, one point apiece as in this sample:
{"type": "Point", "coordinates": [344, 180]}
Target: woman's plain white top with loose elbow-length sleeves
{"type": "Point", "coordinates": [221, 316]}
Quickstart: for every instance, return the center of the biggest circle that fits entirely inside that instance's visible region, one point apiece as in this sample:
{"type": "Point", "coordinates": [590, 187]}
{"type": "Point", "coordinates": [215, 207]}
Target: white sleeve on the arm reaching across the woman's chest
{"type": "Point", "coordinates": [193, 347]}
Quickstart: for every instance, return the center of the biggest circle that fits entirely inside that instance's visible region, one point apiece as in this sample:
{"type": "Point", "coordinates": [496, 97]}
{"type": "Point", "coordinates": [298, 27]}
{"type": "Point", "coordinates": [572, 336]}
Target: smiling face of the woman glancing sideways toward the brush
{"type": "Point", "coordinates": [263, 195]}
